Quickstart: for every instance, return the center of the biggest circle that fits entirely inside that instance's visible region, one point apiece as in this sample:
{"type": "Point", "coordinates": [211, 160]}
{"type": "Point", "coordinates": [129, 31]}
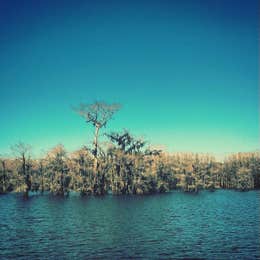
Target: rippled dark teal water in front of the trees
{"type": "Point", "coordinates": [218, 225]}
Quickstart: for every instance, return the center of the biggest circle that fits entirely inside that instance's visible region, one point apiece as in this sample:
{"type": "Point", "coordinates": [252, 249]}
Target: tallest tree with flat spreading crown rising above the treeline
{"type": "Point", "coordinates": [97, 114]}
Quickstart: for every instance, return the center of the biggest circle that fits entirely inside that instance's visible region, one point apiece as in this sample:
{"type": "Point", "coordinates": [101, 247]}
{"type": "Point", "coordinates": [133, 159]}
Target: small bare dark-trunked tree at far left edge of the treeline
{"type": "Point", "coordinates": [22, 151]}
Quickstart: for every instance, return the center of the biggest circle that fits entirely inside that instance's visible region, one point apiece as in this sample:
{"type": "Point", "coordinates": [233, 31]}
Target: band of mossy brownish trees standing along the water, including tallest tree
{"type": "Point", "coordinates": [127, 165]}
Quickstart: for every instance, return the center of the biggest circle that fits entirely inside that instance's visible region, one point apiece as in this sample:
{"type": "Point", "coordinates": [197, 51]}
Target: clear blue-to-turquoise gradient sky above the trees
{"type": "Point", "coordinates": [185, 72]}
